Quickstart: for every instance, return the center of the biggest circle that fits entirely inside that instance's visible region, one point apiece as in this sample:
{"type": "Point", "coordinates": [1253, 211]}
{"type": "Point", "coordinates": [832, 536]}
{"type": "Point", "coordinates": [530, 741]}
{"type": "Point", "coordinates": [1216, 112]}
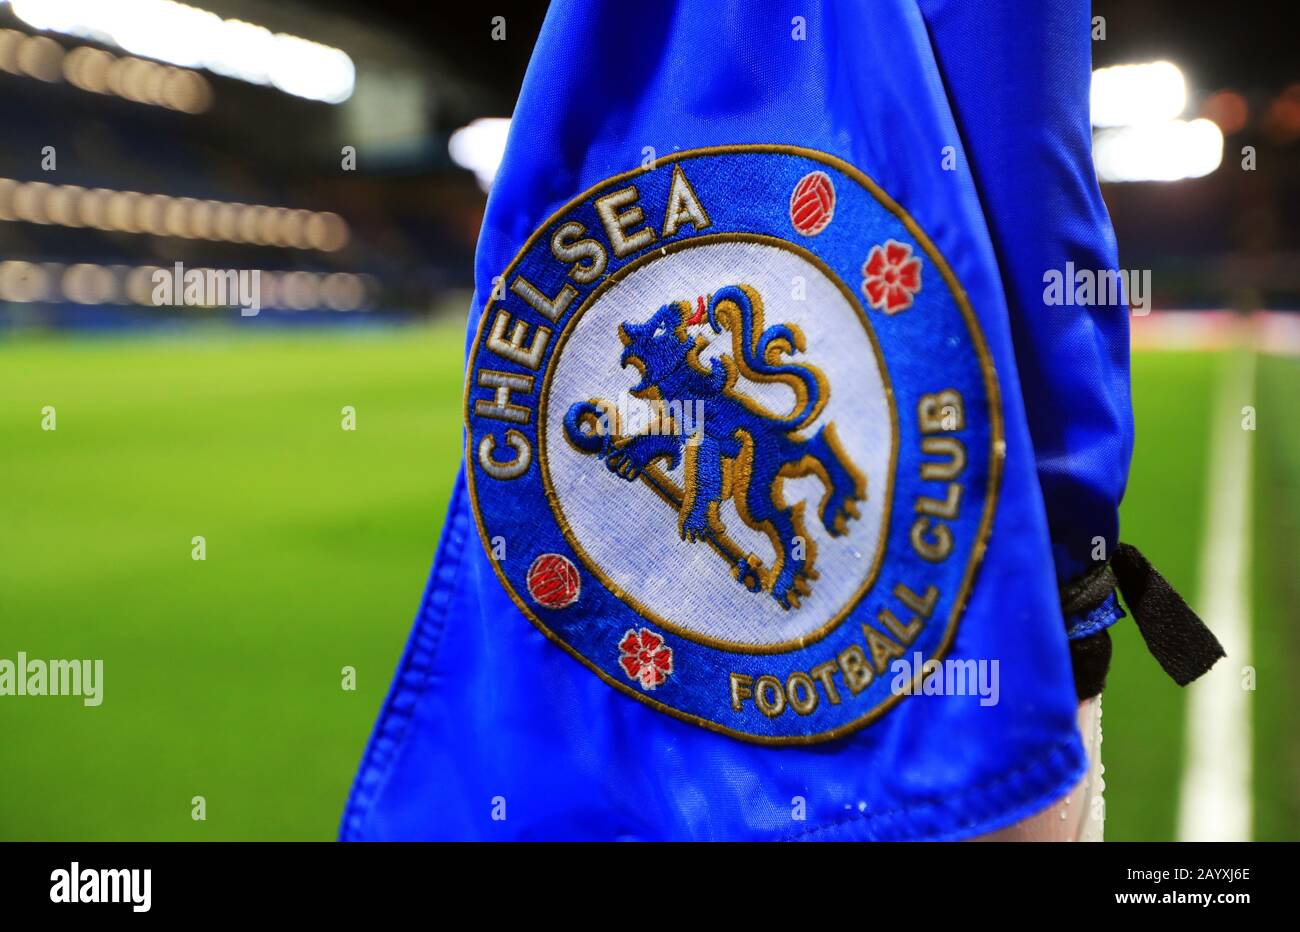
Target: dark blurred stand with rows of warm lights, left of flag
{"type": "Point", "coordinates": [391, 239]}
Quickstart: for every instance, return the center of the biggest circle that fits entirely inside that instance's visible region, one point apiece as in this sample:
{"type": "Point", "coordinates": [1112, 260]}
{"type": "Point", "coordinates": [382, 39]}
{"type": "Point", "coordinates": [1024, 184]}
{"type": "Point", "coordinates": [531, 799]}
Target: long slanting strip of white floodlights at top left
{"type": "Point", "coordinates": [196, 38]}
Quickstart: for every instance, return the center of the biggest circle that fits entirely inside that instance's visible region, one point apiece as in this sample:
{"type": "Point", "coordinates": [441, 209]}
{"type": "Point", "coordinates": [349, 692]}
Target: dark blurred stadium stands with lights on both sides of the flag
{"type": "Point", "coordinates": [395, 239]}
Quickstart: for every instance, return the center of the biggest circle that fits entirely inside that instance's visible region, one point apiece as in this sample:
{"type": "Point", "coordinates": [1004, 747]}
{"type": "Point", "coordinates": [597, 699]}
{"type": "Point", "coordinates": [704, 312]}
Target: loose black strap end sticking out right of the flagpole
{"type": "Point", "coordinates": [1175, 635]}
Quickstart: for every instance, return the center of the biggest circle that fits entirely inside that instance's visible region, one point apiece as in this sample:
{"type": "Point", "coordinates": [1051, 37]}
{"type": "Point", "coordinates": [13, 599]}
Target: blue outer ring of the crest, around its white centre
{"type": "Point", "coordinates": [935, 345]}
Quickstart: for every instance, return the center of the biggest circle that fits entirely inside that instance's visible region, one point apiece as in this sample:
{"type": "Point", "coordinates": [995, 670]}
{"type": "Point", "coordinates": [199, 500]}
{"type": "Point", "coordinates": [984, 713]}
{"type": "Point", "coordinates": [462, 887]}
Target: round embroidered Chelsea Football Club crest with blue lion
{"type": "Point", "coordinates": [734, 440]}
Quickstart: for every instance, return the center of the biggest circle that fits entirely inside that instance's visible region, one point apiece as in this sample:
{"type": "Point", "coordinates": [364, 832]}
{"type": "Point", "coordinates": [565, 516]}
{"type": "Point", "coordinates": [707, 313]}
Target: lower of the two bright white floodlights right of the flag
{"type": "Point", "coordinates": [1164, 151]}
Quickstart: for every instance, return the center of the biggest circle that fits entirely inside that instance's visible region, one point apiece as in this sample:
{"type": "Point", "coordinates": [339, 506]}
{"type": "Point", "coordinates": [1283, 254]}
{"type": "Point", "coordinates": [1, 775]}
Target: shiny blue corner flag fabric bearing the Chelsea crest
{"type": "Point", "coordinates": [751, 541]}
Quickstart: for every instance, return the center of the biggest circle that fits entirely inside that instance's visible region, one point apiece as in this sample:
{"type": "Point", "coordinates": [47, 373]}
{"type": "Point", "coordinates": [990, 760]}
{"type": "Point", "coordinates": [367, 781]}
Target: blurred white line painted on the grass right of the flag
{"type": "Point", "coordinates": [1215, 800]}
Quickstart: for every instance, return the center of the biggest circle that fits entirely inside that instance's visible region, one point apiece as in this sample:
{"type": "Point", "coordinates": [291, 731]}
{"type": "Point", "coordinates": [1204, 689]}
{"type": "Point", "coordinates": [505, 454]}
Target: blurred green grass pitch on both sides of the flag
{"type": "Point", "coordinates": [223, 678]}
